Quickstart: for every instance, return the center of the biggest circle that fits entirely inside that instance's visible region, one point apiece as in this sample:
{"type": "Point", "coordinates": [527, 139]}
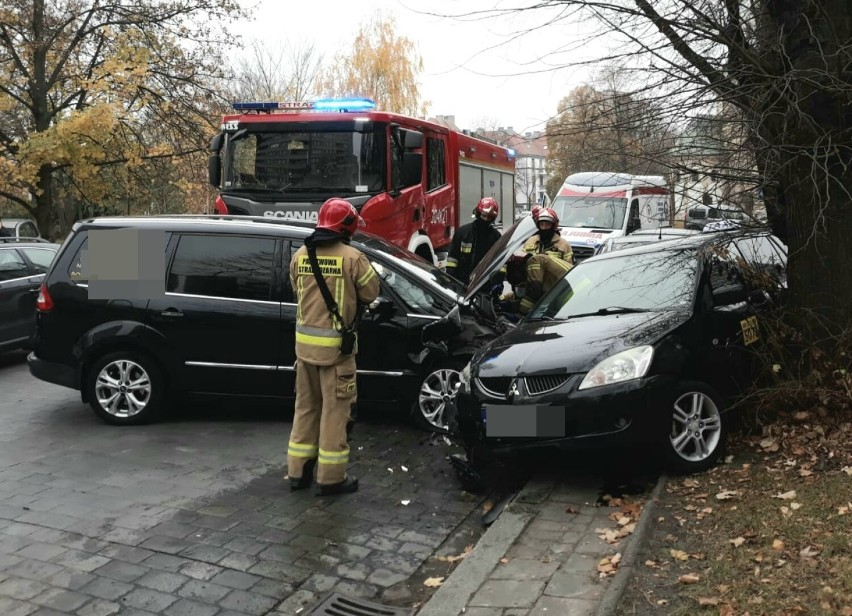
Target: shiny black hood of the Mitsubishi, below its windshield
{"type": "Point", "coordinates": [572, 346]}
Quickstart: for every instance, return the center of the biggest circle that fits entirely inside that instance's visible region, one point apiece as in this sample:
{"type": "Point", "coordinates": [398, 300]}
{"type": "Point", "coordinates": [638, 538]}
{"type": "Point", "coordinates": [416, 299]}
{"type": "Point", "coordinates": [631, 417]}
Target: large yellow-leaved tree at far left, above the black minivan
{"type": "Point", "coordinates": [96, 98]}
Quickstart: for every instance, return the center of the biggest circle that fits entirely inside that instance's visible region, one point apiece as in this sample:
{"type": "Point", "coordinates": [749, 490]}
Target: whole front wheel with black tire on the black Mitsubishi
{"type": "Point", "coordinates": [697, 428]}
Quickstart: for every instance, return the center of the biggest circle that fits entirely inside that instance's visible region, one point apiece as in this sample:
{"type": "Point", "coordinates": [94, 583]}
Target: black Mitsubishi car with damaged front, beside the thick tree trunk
{"type": "Point", "coordinates": [645, 345]}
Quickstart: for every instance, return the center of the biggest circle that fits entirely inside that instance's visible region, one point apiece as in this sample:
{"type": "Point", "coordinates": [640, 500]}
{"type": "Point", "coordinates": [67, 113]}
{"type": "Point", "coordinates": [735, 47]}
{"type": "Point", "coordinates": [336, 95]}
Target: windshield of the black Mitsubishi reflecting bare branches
{"type": "Point", "coordinates": [654, 281]}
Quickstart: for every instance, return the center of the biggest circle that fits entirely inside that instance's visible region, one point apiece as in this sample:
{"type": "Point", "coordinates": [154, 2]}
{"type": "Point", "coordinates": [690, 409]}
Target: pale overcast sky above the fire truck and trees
{"type": "Point", "coordinates": [476, 68]}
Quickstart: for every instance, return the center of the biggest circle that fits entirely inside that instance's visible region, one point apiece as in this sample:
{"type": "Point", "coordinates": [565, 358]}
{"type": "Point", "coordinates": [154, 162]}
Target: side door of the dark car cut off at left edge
{"type": "Point", "coordinates": [18, 291]}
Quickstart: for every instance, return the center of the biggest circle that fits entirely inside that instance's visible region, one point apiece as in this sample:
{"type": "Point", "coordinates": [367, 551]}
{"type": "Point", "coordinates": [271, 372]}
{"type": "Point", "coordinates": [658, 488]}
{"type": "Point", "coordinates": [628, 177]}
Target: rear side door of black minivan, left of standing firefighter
{"type": "Point", "coordinates": [220, 314]}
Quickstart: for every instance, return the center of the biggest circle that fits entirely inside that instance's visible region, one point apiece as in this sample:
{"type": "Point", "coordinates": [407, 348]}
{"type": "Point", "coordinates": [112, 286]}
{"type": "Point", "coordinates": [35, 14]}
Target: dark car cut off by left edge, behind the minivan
{"type": "Point", "coordinates": [22, 269]}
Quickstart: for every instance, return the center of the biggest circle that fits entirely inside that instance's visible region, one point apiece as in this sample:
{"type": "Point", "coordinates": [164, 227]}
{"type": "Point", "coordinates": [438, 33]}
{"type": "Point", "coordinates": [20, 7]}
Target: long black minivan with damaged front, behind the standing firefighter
{"type": "Point", "coordinates": [222, 320]}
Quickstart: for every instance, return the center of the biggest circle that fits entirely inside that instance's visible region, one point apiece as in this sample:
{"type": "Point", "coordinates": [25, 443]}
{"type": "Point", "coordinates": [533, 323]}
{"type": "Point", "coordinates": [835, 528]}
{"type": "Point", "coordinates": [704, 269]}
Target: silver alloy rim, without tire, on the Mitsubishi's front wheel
{"type": "Point", "coordinates": [696, 427]}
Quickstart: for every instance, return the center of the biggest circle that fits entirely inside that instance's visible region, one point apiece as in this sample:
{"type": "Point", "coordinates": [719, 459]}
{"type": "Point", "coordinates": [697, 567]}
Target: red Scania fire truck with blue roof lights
{"type": "Point", "coordinates": [414, 182]}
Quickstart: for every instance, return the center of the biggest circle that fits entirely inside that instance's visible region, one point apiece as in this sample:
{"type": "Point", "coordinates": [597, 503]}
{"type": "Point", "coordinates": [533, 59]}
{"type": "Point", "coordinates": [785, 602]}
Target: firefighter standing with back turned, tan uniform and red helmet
{"type": "Point", "coordinates": [326, 345]}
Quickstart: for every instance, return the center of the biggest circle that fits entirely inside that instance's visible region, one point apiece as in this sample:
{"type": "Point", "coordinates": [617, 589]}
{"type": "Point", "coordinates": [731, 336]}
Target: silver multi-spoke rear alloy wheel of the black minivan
{"type": "Point", "coordinates": [123, 388]}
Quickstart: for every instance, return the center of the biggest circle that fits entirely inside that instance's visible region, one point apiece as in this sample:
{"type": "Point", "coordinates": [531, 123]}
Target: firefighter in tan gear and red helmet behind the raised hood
{"type": "Point", "coordinates": [552, 258]}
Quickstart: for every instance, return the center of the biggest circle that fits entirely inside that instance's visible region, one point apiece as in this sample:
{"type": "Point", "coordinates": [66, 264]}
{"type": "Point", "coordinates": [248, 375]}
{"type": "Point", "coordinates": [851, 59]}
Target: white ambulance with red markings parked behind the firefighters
{"type": "Point", "coordinates": [595, 206]}
